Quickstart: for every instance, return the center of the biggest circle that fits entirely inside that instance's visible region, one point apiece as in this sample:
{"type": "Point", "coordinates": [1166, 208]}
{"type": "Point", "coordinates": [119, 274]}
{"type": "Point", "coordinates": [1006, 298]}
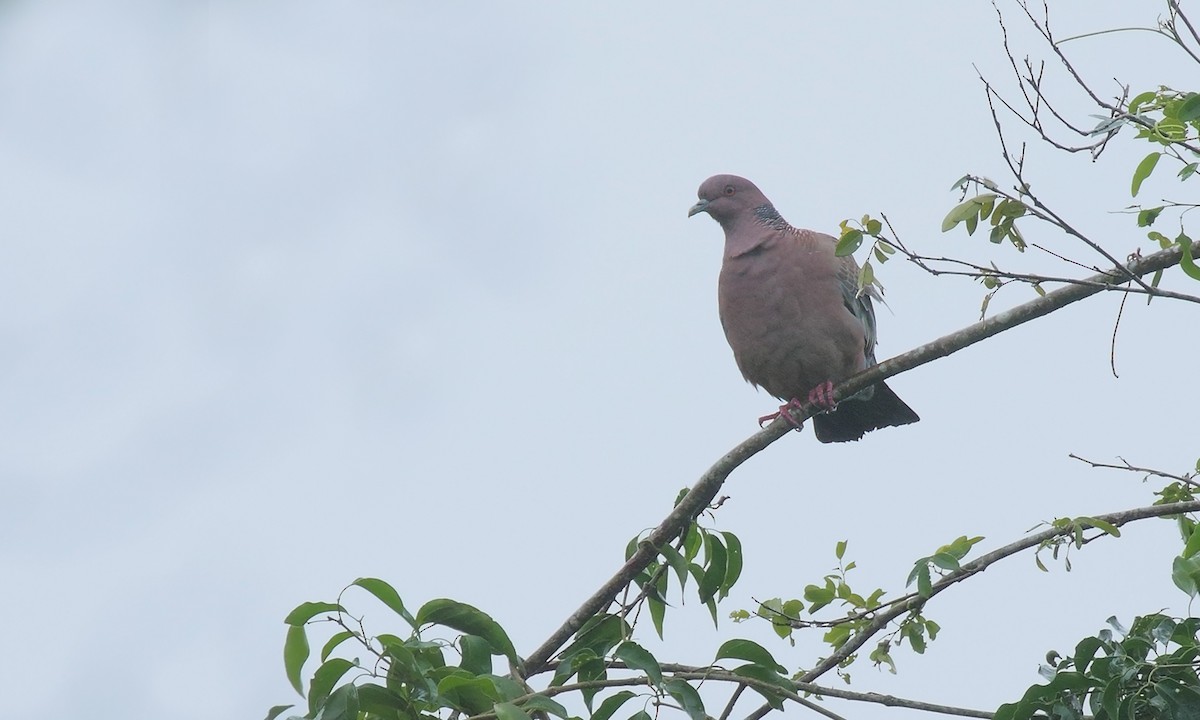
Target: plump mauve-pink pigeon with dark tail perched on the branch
{"type": "Point", "coordinates": [794, 314]}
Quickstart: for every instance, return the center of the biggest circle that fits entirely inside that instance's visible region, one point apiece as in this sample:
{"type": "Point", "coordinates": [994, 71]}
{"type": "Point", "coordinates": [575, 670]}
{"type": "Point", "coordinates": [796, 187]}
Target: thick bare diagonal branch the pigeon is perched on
{"type": "Point", "coordinates": [711, 483]}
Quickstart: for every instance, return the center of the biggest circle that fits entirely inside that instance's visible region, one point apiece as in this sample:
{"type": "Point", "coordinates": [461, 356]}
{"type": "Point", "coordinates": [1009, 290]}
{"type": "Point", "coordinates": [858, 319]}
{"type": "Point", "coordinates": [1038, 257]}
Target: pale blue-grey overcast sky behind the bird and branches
{"type": "Point", "coordinates": [295, 293]}
